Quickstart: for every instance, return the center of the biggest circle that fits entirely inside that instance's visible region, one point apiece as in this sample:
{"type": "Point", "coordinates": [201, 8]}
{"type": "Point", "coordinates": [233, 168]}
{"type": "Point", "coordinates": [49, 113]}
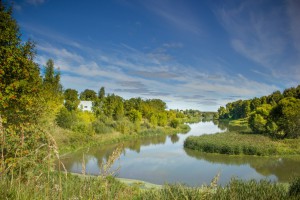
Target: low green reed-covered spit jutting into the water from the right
{"type": "Point", "coordinates": [238, 143]}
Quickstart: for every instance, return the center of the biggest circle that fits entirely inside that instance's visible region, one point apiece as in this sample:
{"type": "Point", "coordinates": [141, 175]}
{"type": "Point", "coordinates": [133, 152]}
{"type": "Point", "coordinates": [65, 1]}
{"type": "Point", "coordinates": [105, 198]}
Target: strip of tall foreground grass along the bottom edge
{"type": "Point", "coordinates": [62, 186]}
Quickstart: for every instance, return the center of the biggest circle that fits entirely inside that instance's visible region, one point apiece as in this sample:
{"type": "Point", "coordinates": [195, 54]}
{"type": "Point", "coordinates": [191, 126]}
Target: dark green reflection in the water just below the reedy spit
{"type": "Point", "coordinates": [282, 168]}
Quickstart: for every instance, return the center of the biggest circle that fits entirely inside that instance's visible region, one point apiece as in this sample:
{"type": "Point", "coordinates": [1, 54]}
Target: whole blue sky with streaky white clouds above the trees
{"type": "Point", "coordinates": [189, 53]}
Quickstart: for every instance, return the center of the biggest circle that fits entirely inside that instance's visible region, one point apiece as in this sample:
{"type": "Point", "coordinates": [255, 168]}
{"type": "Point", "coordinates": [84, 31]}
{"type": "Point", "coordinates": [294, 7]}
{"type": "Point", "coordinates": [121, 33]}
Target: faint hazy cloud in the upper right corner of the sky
{"type": "Point", "coordinates": [260, 35]}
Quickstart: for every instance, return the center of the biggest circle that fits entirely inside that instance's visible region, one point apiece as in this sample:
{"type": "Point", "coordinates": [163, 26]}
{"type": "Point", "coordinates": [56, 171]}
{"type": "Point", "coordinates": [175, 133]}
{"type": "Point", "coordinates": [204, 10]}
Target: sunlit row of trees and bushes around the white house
{"type": "Point", "coordinates": [112, 112]}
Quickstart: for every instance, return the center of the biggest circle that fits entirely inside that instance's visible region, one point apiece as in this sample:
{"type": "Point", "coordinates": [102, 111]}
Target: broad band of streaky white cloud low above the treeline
{"type": "Point", "coordinates": [130, 73]}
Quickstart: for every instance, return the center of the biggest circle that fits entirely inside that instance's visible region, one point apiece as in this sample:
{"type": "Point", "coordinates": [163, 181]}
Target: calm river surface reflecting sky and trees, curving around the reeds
{"type": "Point", "coordinates": [163, 159]}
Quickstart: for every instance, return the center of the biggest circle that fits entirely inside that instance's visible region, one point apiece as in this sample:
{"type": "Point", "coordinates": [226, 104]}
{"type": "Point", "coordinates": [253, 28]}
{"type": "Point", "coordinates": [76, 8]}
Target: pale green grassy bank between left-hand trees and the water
{"type": "Point", "coordinates": [68, 140]}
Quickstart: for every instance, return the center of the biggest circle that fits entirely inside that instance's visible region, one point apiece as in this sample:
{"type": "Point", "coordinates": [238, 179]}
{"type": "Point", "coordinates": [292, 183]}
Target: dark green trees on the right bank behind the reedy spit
{"type": "Point", "coordinates": [277, 115]}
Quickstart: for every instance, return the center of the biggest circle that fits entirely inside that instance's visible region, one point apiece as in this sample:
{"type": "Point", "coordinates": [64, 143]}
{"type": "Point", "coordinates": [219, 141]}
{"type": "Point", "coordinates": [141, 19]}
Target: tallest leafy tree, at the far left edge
{"type": "Point", "coordinates": [21, 102]}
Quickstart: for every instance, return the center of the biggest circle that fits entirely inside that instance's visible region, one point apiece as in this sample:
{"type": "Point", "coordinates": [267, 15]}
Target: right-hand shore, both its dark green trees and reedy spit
{"type": "Point", "coordinates": [271, 126]}
